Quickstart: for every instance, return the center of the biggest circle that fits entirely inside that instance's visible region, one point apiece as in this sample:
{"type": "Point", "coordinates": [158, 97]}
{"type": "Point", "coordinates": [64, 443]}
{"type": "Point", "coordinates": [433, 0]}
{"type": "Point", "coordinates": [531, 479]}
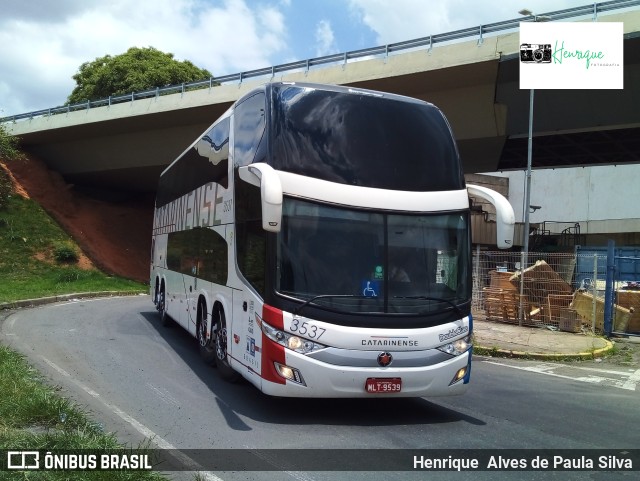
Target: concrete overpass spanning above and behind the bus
{"type": "Point", "coordinates": [475, 82]}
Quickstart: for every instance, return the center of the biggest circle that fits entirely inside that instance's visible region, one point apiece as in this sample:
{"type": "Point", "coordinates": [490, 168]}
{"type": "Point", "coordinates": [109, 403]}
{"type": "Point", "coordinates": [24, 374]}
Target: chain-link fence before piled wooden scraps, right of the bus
{"type": "Point", "coordinates": [563, 291]}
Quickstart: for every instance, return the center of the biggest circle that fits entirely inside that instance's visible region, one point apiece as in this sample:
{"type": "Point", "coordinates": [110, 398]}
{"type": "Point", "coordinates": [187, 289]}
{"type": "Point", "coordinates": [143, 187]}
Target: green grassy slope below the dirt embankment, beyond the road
{"type": "Point", "coordinates": [39, 259]}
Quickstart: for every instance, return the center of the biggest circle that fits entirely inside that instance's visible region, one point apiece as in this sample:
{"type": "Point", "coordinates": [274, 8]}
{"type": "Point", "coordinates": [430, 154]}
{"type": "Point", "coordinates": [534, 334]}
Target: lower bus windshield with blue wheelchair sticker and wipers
{"type": "Point", "coordinates": [362, 261]}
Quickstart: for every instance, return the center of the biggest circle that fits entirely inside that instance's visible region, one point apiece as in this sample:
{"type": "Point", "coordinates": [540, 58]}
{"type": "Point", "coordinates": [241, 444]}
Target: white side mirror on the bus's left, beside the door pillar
{"type": "Point", "coordinates": [264, 176]}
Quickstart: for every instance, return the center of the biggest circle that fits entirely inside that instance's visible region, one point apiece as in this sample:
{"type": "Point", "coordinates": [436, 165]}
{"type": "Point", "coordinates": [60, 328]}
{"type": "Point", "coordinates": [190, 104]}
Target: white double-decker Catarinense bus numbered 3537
{"type": "Point", "coordinates": [315, 240]}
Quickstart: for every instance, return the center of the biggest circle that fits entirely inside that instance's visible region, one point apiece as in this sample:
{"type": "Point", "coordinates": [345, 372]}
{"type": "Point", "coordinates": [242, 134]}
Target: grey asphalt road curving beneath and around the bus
{"type": "Point", "coordinates": [144, 381]}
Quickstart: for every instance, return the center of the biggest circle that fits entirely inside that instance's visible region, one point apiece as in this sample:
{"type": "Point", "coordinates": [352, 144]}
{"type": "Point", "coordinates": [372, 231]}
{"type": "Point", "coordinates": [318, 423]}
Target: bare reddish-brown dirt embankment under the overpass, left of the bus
{"type": "Point", "coordinates": [115, 235]}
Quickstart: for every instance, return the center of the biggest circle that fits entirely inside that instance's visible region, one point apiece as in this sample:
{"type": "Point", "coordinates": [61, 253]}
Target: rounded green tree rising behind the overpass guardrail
{"type": "Point", "coordinates": [135, 70]}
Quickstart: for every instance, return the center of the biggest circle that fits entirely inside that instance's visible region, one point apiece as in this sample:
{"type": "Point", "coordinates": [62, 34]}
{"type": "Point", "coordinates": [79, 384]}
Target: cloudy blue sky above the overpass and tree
{"type": "Point", "coordinates": [44, 42]}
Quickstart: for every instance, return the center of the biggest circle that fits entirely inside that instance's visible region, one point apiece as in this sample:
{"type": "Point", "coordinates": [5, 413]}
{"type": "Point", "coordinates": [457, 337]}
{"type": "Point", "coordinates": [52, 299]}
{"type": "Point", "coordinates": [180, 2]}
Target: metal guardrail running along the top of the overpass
{"type": "Point", "coordinates": [467, 33]}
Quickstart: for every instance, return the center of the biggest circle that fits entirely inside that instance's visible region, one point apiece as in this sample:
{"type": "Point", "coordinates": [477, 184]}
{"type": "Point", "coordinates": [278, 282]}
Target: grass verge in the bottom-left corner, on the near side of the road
{"type": "Point", "coordinates": [34, 417]}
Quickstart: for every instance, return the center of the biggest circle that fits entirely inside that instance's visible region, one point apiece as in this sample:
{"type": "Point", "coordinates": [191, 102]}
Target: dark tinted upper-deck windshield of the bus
{"type": "Point", "coordinates": [363, 140]}
